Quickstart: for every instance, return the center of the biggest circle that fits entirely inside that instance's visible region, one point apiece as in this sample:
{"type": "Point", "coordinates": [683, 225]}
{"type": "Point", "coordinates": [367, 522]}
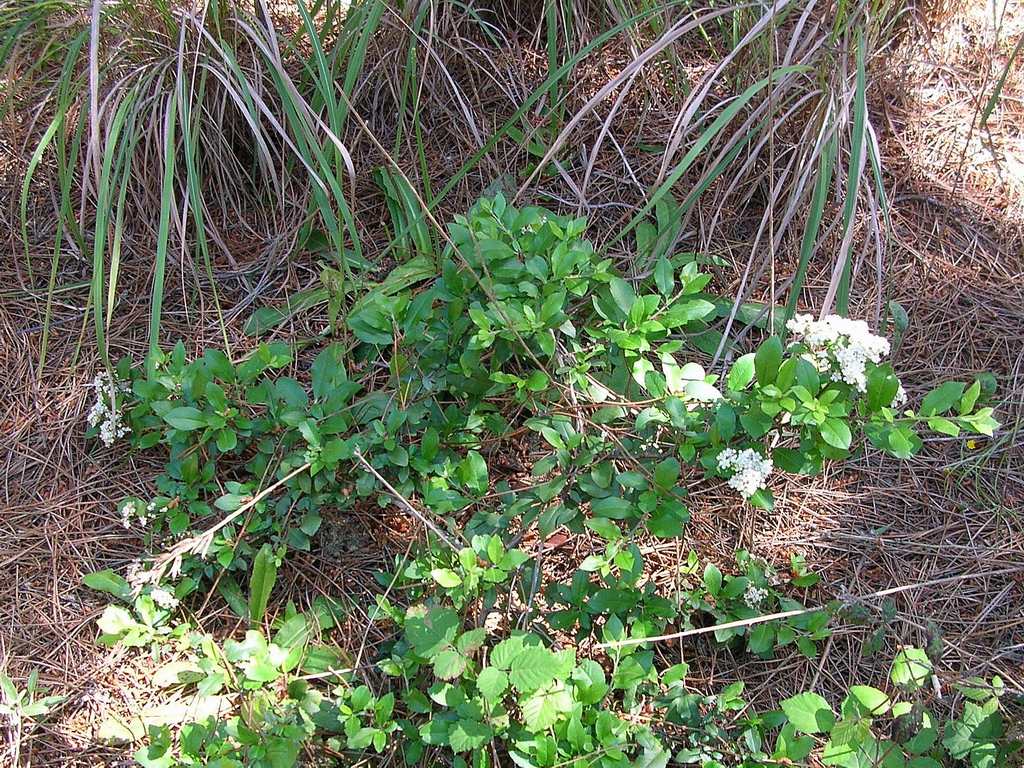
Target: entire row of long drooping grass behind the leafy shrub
{"type": "Point", "coordinates": [199, 114]}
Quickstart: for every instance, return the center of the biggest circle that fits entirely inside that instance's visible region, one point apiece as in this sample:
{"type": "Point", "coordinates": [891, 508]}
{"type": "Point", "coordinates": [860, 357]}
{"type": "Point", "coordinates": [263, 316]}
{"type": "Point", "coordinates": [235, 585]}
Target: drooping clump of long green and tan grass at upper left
{"type": "Point", "coordinates": [192, 113]}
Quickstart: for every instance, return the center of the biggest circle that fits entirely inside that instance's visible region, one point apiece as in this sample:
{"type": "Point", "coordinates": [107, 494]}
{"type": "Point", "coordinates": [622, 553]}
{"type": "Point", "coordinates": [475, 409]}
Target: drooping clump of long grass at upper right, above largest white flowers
{"type": "Point", "coordinates": [779, 124]}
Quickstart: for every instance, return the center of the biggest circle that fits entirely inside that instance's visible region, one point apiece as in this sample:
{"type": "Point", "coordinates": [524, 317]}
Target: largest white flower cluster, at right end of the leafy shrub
{"type": "Point", "coordinates": [840, 346]}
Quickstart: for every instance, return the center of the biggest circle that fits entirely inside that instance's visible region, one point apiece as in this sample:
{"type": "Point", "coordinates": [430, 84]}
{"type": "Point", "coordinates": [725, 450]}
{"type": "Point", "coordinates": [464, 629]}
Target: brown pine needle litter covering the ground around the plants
{"type": "Point", "coordinates": [956, 265]}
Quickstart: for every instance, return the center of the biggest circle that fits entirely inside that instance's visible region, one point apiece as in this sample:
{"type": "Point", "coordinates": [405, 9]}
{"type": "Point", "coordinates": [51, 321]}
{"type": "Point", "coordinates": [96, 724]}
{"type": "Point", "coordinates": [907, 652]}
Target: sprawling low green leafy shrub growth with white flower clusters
{"type": "Point", "coordinates": [526, 339]}
